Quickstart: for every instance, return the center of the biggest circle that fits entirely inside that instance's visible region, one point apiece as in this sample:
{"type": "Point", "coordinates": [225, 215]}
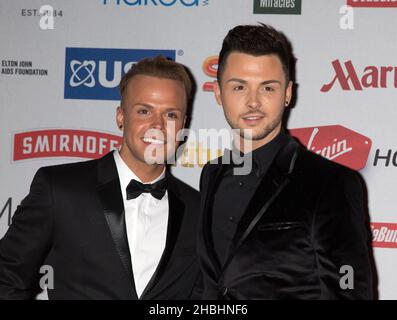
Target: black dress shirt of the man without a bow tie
{"type": "Point", "coordinates": [235, 191]}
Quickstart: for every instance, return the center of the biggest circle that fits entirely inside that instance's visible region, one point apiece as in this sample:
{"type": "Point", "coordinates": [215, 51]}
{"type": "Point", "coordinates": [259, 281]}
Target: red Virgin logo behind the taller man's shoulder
{"type": "Point", "coordinates": [336, 143]}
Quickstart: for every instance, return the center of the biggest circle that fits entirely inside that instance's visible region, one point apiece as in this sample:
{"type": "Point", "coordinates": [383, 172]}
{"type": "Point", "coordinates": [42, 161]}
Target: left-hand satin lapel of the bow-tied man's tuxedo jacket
{"type": "Point", "coordinates": [112, 202]}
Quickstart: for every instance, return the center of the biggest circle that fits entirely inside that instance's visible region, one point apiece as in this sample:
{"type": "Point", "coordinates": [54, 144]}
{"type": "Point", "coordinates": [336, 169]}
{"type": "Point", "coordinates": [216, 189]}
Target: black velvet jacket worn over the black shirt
{"type": "Point", "coordinates": [304, 223]}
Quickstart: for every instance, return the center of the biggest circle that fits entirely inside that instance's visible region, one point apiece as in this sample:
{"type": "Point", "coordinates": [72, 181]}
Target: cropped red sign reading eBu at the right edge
{"type": "Point", "coordinates": [384, 235]}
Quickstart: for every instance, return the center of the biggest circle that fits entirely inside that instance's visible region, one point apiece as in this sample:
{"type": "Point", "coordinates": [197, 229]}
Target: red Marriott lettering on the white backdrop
{"type": "Point", "coordinates": [370, 77]}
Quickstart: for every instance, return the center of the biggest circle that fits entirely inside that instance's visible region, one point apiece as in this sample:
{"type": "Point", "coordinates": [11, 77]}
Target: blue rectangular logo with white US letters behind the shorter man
{"type": "Point", "coordinates": [92, 73]}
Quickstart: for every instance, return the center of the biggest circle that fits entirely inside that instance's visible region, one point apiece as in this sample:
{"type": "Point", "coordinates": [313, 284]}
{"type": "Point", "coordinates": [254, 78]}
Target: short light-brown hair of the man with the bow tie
{"type": "Point", "coordinates": [159, 67]}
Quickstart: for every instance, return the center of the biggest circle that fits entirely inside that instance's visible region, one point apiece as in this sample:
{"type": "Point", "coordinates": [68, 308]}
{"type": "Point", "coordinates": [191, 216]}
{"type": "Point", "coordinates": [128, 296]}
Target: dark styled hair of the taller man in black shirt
{"type": "Point", "coordinates": [256, 40]}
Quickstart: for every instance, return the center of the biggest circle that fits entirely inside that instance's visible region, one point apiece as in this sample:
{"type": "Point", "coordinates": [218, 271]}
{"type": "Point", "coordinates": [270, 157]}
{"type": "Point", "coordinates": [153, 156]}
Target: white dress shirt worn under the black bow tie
{"type": "Point", "coordinates": [146, 221]}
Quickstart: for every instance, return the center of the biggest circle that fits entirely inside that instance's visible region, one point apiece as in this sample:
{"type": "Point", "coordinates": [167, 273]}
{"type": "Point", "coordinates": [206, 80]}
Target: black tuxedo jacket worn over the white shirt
{"type": "Point", "coordinates": [73, 220]}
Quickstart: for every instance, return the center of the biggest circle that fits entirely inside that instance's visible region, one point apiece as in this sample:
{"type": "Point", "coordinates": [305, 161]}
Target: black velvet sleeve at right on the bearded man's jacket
{"type": "Point", "coordinates": [341, 239]}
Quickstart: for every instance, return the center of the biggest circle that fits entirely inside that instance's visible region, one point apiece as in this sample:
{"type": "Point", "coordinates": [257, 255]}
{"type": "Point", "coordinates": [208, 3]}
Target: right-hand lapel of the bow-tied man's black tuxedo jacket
{"type": "Point", "coordinates": [176, 210]}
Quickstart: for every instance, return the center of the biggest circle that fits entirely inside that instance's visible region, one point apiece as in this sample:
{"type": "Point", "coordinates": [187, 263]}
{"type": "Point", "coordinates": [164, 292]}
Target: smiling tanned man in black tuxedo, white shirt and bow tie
{"type": "Point", "coordinates": [120, 227]}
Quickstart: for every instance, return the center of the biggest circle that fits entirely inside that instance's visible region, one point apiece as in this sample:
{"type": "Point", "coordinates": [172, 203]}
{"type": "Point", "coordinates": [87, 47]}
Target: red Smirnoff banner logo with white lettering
{"type": "Point", "coordinates": [63, 143]}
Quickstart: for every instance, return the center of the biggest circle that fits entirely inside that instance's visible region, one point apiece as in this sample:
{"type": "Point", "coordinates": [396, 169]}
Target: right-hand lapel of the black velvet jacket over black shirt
{"type": "Point", "coordinates": [271, 185]}
